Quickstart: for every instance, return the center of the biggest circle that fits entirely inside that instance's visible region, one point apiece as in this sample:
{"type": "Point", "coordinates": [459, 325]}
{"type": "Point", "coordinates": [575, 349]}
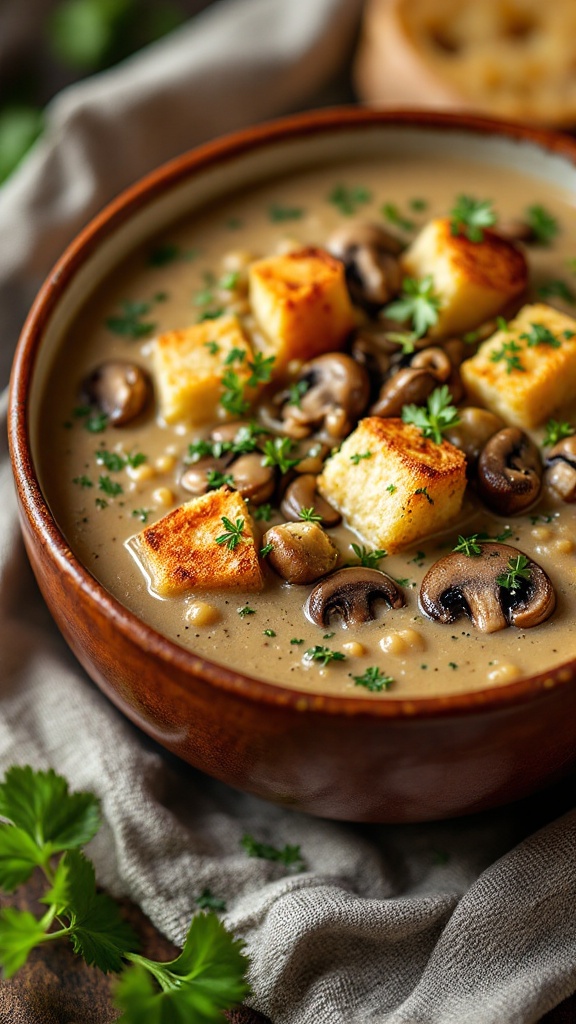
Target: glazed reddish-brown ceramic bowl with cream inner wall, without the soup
{"type": "Point", "coordinates": [354, 758]}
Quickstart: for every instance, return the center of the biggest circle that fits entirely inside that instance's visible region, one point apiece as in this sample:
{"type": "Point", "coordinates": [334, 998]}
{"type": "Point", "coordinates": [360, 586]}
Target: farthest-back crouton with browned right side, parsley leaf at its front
{"type": "Point", "coordinates": [474, 280]}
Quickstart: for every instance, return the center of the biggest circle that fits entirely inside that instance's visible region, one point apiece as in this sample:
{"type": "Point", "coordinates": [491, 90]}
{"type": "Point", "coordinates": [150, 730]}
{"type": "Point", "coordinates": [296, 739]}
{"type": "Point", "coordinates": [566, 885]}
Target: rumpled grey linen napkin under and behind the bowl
{"type": "Point", "coordinates": [468, 922]}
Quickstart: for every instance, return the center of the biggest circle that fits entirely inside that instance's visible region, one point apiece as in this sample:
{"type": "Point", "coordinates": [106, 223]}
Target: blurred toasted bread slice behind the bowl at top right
{"type": "Point", "coordinates": [512, 60]}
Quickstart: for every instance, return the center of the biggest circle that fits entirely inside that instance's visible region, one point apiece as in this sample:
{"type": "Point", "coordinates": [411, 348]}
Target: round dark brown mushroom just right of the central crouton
{"type": "Point", "coordinates": [510, 472]}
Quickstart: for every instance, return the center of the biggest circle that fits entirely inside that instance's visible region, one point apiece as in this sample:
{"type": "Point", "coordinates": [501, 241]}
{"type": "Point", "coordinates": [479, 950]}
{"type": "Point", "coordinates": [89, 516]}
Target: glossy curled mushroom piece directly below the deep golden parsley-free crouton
{"type": "Point", "coordinates": [338, 395]}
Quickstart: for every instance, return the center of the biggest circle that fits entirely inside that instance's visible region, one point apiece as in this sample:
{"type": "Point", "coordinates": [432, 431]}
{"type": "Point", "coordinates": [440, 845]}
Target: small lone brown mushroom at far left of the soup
{"type": "Point", "coordinates": [119, 389]}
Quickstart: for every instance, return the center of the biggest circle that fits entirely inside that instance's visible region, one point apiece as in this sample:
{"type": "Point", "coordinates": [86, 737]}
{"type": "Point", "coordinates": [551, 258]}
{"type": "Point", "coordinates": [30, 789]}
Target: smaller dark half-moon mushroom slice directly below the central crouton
{"type": "Point", "coordinates": [352, 594]}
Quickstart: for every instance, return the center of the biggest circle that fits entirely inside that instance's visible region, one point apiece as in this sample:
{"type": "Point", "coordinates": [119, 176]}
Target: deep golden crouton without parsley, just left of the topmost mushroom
{"type": "Point", "coordinates": [302, 305]}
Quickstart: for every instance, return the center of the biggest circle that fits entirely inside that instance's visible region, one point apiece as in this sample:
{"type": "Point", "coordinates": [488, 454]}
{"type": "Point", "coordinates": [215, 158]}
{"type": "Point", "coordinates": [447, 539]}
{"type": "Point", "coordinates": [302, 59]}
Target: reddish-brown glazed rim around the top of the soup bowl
{"type": "Point", "coordinates": [36, 510]}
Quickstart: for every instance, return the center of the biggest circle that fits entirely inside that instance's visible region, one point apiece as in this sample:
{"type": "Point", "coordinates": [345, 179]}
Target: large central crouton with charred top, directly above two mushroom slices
{"type": "Point", "coordinates": [406, 489]}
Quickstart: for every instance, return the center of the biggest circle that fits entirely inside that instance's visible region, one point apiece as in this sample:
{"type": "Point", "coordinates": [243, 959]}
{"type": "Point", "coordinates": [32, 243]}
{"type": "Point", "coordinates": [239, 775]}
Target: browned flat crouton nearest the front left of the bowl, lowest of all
{"type": "Point", "coordinates": [181, 551]}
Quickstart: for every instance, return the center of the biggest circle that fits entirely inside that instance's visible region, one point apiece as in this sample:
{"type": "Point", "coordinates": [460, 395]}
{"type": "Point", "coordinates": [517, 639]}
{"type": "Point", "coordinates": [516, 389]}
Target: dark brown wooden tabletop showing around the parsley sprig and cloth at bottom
{"type": "Point", "coordinates": [57, 988]}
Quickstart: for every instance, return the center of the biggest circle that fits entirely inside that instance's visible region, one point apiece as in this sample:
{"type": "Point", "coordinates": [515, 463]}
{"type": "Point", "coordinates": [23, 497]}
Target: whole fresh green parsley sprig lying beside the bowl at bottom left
{"type": "Point", "coordinates": [45, 828]}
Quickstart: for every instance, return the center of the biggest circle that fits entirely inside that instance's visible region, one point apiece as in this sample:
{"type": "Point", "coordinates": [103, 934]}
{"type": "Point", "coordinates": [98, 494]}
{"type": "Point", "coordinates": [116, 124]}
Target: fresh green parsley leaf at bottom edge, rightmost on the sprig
{"type": "Point", "coordinates": [210, 976]}
